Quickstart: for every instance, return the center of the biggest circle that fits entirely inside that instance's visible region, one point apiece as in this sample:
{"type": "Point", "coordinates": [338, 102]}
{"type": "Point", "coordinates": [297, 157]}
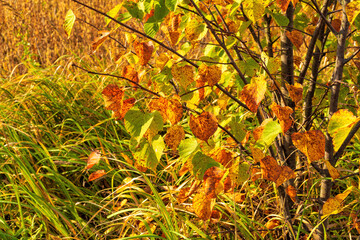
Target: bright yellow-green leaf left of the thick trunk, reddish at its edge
{"type": "Point", "coordinates": [271, 130]}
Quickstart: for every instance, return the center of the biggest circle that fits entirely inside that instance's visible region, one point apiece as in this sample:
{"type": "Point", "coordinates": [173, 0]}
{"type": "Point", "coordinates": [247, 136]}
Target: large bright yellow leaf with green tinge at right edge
{"type": "Point", "coordinates": [340, 126]}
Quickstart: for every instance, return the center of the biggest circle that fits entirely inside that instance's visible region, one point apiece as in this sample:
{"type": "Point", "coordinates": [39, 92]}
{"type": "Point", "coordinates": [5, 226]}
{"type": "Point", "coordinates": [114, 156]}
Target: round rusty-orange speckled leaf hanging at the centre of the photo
{"type": "Point", "coordinates": [203, 126]}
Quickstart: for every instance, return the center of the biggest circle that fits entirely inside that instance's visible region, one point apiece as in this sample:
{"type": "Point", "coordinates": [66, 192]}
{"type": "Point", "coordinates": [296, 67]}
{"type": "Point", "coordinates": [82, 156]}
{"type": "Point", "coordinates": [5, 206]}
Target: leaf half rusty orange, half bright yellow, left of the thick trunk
{"type": "Point", "coordinates": [252, 94]}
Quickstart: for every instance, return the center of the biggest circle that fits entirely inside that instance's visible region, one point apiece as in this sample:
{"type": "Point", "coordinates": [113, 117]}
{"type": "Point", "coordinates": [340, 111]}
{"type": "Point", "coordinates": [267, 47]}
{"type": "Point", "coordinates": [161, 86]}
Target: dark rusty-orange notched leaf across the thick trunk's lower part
{"type": "Point", "coordinates": [273, 172]}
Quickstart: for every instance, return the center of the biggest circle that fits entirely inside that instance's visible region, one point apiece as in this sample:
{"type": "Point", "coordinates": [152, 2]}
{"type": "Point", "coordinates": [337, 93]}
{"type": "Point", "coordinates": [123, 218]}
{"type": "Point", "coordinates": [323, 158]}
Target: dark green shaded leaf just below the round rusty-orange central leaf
{"type": "Point", "coordinates": [201, 163]}
